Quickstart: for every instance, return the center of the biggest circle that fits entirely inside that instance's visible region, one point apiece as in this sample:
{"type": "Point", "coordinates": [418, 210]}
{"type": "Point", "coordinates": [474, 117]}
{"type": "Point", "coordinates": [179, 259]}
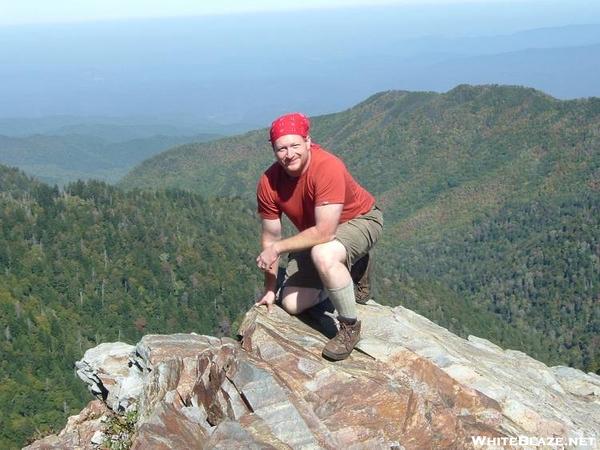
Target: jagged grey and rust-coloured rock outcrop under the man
{"type": "Point", "coordinates": [410, 385]}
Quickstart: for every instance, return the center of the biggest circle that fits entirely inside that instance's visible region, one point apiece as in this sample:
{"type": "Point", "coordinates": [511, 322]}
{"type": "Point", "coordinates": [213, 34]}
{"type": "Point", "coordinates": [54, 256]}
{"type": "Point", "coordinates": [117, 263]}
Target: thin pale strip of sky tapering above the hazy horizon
{"type": "Point", "coordinates": [17, 12]}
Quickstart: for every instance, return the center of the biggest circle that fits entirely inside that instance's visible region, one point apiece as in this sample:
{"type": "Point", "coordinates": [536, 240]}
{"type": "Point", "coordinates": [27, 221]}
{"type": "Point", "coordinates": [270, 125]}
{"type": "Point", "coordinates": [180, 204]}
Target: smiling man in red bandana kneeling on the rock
{"type": "Point", "coordinates": [337, 222]}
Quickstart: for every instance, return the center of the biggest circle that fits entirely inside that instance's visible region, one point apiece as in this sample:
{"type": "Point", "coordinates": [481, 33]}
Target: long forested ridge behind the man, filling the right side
{"type": "Point", "coordinates": [491, 197]}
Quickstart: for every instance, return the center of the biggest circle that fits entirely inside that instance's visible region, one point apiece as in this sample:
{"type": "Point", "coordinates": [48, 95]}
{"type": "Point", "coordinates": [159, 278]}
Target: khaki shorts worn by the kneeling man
{"type": "Point", "coordinates": [358, 236]}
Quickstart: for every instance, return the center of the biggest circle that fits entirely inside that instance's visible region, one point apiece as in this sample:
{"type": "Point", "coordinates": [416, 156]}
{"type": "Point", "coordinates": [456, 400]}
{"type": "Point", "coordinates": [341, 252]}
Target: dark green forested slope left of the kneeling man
{"type": "Point", "coordinates": [95, 264]}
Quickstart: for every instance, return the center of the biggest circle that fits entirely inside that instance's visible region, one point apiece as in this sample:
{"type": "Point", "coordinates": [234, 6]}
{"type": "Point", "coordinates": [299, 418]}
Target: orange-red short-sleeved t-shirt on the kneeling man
{"type": "Point", "coordinates": [325, 181]}
